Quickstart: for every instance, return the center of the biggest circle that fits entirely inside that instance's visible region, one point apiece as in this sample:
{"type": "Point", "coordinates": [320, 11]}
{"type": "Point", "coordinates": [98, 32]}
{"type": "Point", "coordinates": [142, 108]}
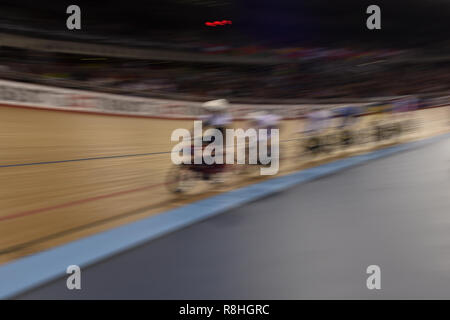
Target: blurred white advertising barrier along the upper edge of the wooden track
{"type": "Point", "coordinates": [40, 96]}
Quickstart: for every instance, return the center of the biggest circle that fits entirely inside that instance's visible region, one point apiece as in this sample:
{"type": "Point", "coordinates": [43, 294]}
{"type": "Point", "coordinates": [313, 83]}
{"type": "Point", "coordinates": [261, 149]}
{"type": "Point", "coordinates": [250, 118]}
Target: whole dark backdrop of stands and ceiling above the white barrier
{"type": "Point", "coordinates": [272, 50]}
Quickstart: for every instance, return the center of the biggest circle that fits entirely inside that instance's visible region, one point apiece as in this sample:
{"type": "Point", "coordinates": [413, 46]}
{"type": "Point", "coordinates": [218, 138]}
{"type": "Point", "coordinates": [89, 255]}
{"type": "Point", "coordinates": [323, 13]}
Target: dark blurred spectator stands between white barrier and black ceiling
{"type": "Point", "coordinates": [338, 76]}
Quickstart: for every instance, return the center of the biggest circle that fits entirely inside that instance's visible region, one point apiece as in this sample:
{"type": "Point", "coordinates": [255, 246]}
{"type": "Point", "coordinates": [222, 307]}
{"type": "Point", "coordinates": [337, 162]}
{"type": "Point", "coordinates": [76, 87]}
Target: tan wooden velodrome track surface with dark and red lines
{"type": "Point", "coordinates": [68, 175]}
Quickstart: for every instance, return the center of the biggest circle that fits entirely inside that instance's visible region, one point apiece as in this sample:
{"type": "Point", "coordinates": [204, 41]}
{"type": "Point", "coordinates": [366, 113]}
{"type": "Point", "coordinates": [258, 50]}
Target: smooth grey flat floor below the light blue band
{"type": "Point", "coordinates": [312, 241]}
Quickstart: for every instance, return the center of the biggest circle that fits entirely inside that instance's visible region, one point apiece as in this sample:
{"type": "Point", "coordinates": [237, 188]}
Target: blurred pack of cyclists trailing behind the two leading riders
{"type": "Point", "coordinates": [329, 128]}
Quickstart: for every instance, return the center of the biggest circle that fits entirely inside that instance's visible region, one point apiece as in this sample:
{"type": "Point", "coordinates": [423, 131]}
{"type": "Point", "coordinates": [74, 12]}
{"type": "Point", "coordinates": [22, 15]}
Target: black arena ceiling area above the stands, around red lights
{"type": "Point", "coordinates": [404, 23]}
